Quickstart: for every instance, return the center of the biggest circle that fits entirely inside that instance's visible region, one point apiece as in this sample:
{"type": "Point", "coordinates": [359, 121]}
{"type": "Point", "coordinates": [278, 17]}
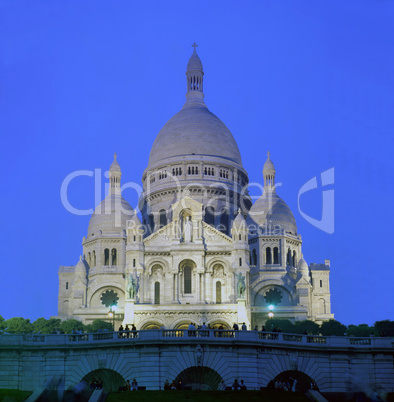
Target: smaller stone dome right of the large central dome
{"type": "Point", "coordinates": [271, 209]}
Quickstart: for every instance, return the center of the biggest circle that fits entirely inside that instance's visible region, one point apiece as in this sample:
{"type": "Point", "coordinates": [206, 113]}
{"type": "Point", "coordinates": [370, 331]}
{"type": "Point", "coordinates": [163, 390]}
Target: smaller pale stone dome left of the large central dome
{"type": "Point", "coordinates": [111, 215]}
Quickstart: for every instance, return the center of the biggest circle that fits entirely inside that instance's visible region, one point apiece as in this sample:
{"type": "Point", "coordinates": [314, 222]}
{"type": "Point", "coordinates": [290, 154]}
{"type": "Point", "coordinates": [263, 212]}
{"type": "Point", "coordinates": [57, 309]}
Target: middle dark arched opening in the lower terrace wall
{"type": "Point", "coordinates": [199, 378]}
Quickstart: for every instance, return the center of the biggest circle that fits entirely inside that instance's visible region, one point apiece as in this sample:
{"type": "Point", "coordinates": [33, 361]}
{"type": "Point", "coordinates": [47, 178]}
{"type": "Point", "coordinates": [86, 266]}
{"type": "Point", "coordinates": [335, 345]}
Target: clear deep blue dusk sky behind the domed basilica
{"type": "Point", "coordinates": [310, 81]}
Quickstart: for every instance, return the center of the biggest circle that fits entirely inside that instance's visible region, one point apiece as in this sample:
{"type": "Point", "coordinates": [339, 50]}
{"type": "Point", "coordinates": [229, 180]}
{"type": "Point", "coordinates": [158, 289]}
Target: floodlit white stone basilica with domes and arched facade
{"type": "Point", "coordinates": [198, 251]}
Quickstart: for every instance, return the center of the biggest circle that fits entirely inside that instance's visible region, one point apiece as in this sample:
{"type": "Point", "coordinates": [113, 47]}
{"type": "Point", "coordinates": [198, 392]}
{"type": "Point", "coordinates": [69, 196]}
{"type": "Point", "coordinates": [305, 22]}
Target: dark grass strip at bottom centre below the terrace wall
{"type": "Point", "coordinates": [206, 396]}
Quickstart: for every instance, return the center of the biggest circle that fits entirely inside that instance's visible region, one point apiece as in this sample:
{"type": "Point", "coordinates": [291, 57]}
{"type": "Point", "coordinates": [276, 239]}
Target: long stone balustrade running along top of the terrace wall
{"type": "Point", "coordinates": [200, 335]}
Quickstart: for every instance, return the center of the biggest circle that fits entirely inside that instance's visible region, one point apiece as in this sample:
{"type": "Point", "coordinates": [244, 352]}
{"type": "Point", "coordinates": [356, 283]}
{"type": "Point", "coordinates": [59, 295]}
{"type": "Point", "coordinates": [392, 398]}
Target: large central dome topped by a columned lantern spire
{"type": "Point", "coordinates": [194, 130]}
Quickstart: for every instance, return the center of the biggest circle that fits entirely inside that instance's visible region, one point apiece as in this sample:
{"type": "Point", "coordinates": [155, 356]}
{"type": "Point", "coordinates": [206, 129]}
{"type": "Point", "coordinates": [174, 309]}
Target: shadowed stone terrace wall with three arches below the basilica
{"type": "Point", "coordinates": [336, 364]}
